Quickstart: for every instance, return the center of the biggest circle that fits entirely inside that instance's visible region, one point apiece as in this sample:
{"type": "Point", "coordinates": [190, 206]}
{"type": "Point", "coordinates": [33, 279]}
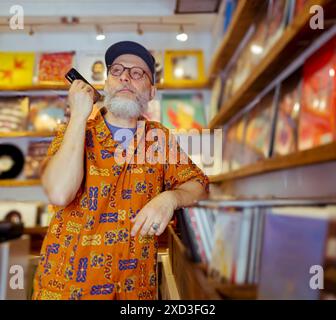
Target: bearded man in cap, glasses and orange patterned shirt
{"type": "Point", "coordinates": [102, 242]}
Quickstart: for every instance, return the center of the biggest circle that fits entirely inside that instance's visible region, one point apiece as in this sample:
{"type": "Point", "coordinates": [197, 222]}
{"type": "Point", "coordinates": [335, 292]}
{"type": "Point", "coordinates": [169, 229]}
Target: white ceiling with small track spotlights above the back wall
{"type": "Point", "coordinates": [111, 15]}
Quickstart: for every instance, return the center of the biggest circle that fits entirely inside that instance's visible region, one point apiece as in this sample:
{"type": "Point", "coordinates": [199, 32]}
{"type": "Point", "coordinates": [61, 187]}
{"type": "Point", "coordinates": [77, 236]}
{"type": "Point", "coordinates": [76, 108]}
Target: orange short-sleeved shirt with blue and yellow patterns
{"type": "Point", "coordinates": [88, 252]}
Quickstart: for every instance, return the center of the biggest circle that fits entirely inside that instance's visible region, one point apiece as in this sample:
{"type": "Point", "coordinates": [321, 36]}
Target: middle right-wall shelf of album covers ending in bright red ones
{"type": "Point", "coordinates": [291, 125]}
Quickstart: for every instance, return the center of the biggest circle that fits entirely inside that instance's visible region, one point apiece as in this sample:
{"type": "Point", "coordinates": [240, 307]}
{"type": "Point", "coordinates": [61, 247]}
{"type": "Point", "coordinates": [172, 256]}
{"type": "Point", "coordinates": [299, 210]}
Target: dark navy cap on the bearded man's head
{"type": "Point", "coordinates": [130, 47]}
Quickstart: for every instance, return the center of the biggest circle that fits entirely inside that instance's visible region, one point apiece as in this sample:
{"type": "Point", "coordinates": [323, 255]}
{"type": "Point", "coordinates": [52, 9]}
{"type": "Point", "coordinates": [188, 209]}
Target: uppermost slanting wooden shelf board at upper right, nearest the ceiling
{"type": "Point", "coordinates": [241, 21]}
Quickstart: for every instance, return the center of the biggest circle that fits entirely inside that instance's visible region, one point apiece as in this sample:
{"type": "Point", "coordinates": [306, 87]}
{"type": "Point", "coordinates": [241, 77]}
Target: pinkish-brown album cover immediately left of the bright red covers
{"type": "Point", "coordinates": [286, 134]}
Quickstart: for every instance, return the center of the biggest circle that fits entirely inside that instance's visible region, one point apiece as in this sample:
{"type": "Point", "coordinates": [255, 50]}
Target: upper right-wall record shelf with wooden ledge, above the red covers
{"type": "Point", "coordinates": [279, 35]}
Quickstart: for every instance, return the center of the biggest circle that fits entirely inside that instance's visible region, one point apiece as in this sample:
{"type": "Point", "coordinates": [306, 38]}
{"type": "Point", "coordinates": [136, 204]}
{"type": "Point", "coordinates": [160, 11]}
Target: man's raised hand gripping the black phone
{"type": "Point", "coordinates": [80, 97]}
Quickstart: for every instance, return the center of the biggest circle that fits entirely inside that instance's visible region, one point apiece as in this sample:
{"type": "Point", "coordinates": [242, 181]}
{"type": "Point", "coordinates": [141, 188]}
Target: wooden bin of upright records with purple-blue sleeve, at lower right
{"type": "Point", "coordinates": [255, 249]}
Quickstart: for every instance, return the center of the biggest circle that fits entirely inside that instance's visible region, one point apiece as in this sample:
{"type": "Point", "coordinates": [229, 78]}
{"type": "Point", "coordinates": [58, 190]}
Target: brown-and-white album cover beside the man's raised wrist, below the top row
{"type": "Point", "coordinates": [45, 113]}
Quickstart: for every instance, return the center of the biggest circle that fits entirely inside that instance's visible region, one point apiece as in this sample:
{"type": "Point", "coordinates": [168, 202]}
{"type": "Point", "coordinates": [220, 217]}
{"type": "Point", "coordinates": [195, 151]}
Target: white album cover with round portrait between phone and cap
{"type": "Point", "coordinates": [92, 67]}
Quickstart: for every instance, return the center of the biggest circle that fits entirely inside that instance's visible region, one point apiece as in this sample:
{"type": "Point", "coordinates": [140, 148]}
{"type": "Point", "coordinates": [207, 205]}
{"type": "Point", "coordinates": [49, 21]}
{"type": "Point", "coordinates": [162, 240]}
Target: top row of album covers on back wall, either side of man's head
{"type": "Point", "coordinates": [46, 70]}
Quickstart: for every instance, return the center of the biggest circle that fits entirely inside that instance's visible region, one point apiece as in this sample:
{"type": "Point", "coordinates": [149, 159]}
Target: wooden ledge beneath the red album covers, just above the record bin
{"type": "Point", "coordinates": [316, 155]}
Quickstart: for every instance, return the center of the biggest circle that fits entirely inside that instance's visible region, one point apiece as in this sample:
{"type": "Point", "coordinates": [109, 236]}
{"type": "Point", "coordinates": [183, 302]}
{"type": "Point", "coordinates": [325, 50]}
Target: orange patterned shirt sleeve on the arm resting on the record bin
{"type": "Point", "coordinates": [179, 168]}
